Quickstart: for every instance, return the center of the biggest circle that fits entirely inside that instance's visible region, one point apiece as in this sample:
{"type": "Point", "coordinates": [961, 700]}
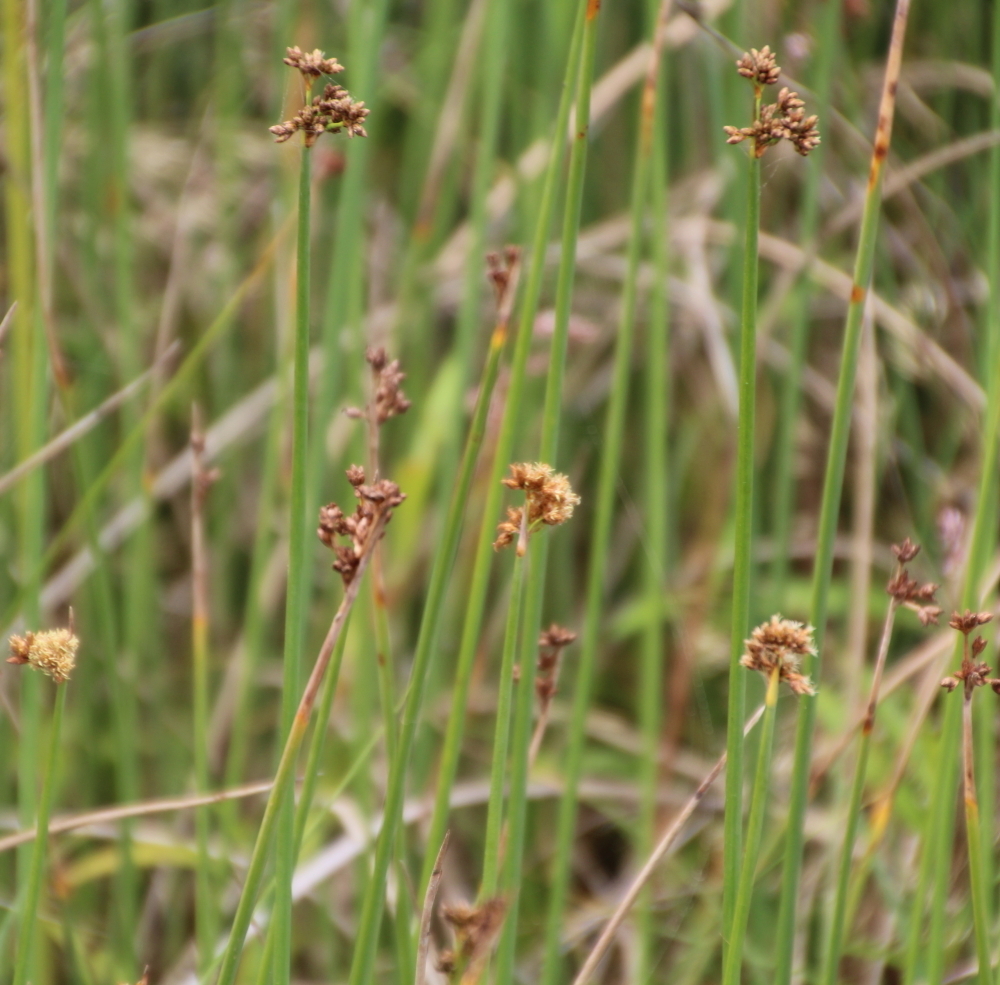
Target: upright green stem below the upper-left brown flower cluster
{"type": "Point", "coordinates": [297, 590]}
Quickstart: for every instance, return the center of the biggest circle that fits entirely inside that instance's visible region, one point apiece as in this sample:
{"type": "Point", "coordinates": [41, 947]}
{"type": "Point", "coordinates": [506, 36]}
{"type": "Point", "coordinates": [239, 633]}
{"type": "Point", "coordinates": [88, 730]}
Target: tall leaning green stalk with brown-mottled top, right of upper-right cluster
{"type": "Point", "coordinates": [830, 503]}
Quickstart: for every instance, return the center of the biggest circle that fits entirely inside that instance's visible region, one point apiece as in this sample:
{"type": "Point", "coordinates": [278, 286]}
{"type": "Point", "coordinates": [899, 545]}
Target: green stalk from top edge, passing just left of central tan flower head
{"type": "Point", "coordinates": [479, 583]}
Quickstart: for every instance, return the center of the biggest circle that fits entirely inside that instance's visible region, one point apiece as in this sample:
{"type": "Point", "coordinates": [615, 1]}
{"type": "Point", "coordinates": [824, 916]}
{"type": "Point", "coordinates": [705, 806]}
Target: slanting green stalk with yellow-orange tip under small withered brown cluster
{"type": "Point", "coordinates": [371, 916]}
